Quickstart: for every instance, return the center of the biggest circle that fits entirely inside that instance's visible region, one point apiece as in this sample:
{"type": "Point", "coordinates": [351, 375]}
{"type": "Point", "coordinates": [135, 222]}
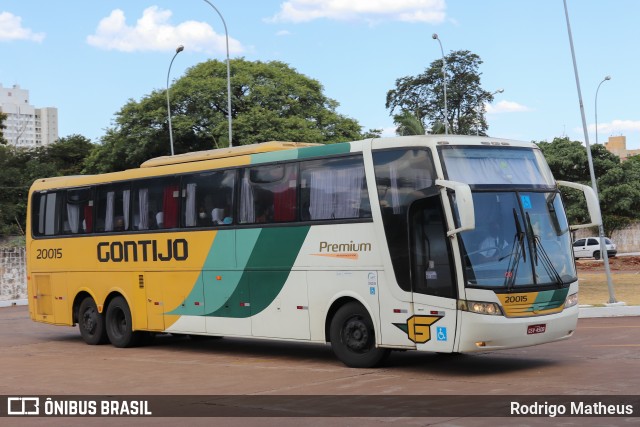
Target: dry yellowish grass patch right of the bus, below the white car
{"type": "Point", "coordinates": [594, 289]}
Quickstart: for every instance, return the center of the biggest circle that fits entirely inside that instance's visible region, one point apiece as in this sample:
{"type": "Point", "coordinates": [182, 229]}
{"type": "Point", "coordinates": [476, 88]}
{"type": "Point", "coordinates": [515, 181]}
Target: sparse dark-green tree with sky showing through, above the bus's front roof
{"type": "Point", "coordinates": [422, 96]}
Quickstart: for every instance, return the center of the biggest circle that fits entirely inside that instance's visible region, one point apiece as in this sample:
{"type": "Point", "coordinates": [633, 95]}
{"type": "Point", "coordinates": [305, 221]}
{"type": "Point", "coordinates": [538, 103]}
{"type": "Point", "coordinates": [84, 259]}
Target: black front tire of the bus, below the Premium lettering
{"type": "Point", "coordinates": [353, 338]}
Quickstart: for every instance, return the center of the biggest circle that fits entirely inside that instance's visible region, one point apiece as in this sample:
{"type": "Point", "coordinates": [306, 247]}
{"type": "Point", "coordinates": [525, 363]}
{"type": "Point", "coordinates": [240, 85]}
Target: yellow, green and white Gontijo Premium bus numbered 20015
{"type": "Point", "coordinates": [435, 243]}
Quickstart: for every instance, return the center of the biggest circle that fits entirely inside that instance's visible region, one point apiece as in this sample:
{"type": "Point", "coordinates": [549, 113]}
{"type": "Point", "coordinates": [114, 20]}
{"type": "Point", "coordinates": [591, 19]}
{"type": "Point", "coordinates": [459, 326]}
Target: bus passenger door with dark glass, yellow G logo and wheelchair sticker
{"type": "Point", "coordinates": [433, 324]}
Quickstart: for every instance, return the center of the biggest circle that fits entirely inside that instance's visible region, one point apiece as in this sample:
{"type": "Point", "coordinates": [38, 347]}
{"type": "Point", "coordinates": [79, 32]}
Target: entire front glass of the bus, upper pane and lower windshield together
{"type": "Point", "coordinates": [522, 236]}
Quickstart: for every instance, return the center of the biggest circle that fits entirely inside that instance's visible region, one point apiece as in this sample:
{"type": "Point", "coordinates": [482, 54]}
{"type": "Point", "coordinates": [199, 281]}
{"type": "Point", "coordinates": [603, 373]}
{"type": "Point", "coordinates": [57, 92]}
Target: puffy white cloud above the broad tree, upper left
{"type": "Point", "coordinates": [153, 32]}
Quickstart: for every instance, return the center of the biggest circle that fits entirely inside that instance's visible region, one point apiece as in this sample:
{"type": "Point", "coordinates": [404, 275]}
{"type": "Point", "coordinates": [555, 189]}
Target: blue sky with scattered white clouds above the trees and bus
{"type": "Point", "coordinates": [88, 58]}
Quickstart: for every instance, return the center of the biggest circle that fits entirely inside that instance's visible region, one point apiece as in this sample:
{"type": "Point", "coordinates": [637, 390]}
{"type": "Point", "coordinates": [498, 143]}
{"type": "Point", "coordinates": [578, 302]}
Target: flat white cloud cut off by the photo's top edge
{"type": "Point", "coordinates": [431, 11]}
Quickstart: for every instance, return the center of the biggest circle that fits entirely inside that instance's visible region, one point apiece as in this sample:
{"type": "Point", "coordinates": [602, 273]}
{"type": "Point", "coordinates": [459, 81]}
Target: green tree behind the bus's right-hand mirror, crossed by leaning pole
{"type": "Point", "coordinates": [618, 183]}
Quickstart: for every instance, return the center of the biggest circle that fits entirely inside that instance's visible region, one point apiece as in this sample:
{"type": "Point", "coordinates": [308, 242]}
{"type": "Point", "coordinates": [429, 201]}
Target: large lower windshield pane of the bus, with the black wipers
{"type": "Point", "coordinates": [525, 241]}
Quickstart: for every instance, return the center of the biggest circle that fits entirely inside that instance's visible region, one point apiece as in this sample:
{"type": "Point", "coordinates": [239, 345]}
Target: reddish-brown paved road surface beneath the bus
{"type": "Point", "coordinates": [603, 358]}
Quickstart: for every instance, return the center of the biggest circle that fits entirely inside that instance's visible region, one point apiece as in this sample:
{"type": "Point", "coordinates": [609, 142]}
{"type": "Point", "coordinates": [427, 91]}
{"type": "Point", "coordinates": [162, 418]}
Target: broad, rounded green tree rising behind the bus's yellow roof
{"type": "Point", "coordinates": [270, 101]}
